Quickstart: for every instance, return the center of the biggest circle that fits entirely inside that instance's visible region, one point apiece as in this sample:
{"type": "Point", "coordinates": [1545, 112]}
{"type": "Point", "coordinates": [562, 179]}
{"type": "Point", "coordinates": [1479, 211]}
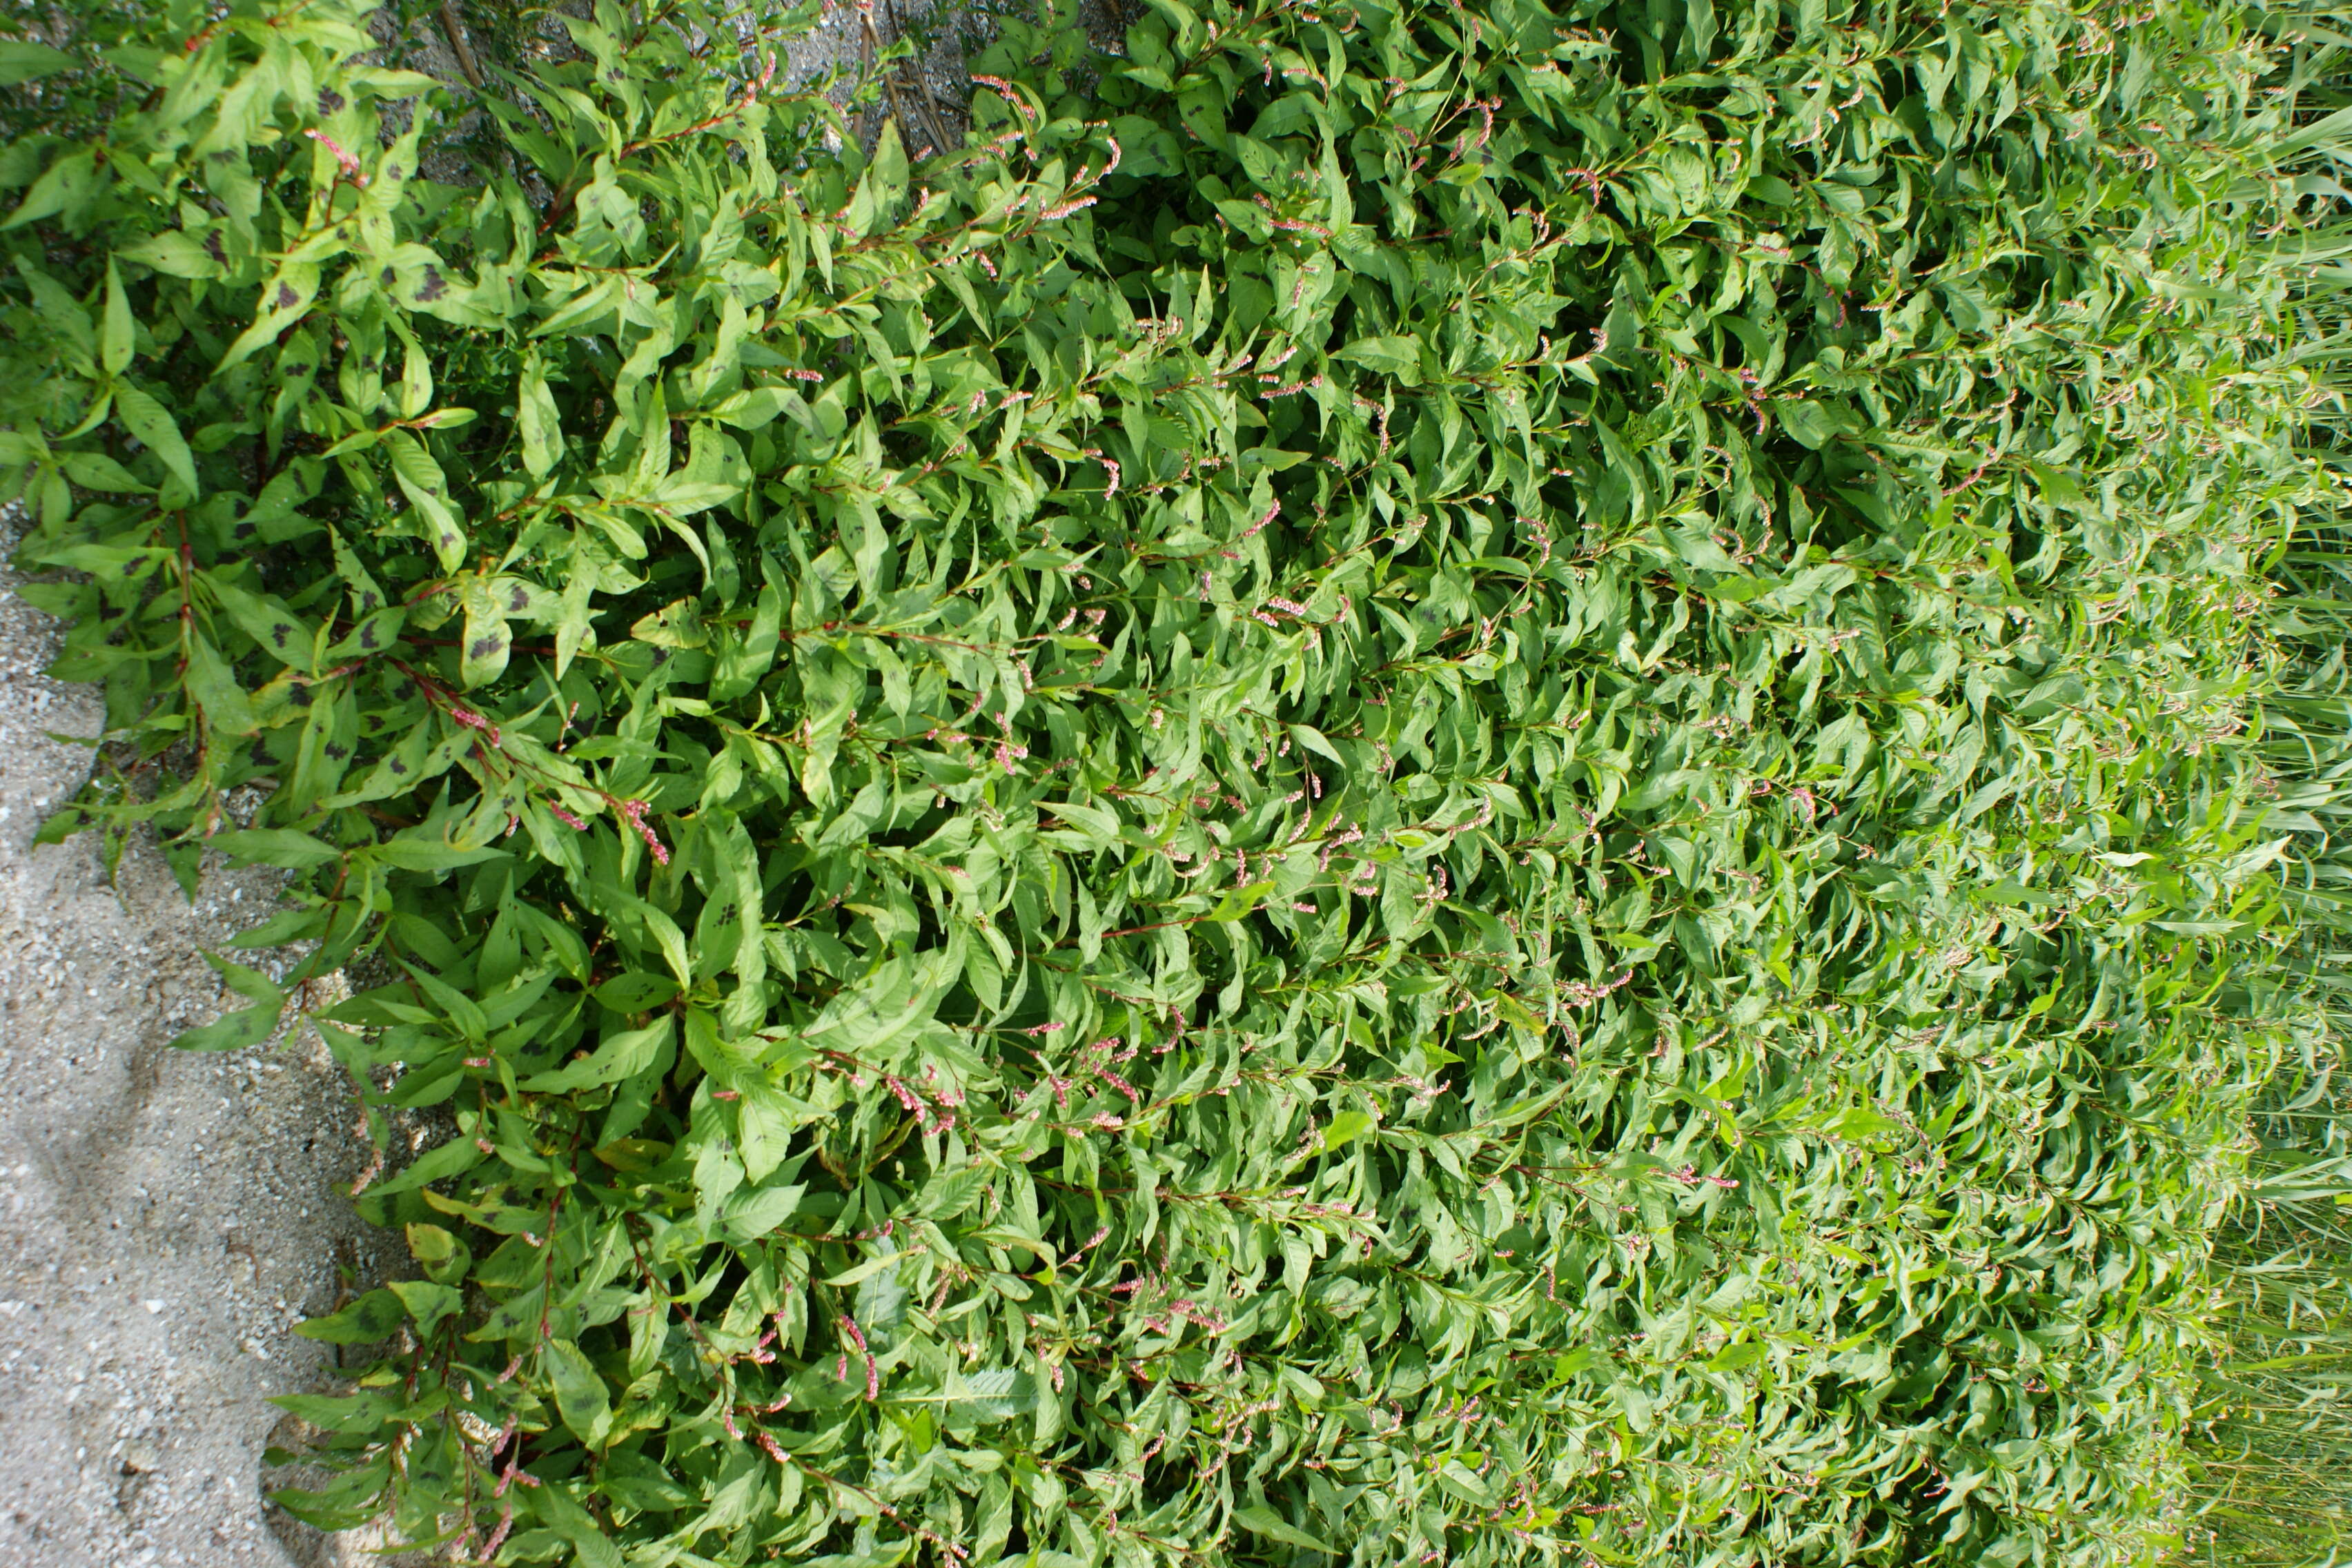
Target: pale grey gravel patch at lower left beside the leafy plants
{"type": "Point", "coordinates": [166, 1219]}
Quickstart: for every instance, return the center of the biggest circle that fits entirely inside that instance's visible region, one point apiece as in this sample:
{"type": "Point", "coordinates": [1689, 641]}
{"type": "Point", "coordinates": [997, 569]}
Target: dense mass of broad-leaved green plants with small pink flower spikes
{"type": "Point", "coordinates": [1448, 786]}
